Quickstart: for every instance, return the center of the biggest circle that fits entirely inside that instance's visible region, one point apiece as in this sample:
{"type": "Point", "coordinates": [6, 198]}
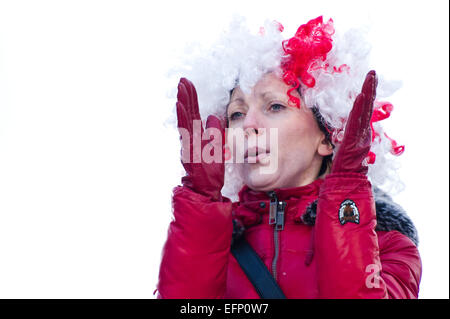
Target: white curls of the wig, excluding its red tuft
{"type": "Point", "coordinates": [241, 57]}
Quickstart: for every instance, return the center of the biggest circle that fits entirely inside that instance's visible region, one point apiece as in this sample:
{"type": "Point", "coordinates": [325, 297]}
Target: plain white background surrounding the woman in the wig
{"type": "Point", "coordinates": [87, 167]}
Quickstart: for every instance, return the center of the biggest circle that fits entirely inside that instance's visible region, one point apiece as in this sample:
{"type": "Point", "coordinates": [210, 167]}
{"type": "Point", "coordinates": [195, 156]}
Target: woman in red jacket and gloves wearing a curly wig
{"type": "Point", "coordinates": [311, 217]}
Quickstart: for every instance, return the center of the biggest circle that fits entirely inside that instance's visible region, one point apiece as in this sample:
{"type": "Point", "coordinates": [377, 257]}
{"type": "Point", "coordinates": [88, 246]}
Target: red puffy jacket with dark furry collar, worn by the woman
{"type": "Point", "coordinates": [309, 258]}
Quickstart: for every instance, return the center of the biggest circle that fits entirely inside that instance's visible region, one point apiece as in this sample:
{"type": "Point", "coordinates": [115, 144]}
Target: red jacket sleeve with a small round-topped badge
{"type": "Point", "coordinates": [350, 262]}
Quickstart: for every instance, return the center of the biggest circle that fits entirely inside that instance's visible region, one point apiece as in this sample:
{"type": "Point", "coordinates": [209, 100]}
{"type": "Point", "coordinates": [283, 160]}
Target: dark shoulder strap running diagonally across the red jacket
{"type": "Point", "coordinates": [256, 271]}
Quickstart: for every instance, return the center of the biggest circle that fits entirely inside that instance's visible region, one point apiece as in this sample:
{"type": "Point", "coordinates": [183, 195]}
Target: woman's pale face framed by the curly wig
{"type": "Point", "coordinates": [282, 145]}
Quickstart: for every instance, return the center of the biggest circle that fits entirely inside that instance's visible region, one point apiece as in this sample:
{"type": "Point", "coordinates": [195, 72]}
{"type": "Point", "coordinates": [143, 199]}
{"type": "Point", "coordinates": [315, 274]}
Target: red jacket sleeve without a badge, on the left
{"type": "Point", "coordinates": [195, 255]}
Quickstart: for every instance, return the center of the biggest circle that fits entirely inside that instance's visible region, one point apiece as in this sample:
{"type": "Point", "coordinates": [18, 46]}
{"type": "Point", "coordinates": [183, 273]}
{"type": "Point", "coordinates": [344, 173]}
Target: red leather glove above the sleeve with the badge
{"type": "Point", "coordinates": [358, 134]}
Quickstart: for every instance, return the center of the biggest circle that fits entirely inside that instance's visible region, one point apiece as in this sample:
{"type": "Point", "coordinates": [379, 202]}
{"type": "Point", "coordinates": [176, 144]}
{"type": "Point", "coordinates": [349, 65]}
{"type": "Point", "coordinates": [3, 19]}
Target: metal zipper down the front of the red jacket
{"type": "Point", "coordinates": [276, 218]}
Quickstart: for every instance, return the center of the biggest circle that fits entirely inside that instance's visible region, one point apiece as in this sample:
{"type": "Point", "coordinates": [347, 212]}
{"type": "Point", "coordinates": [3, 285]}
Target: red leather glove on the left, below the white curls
{"type": "Point", "coordinates": [202, 177]}
